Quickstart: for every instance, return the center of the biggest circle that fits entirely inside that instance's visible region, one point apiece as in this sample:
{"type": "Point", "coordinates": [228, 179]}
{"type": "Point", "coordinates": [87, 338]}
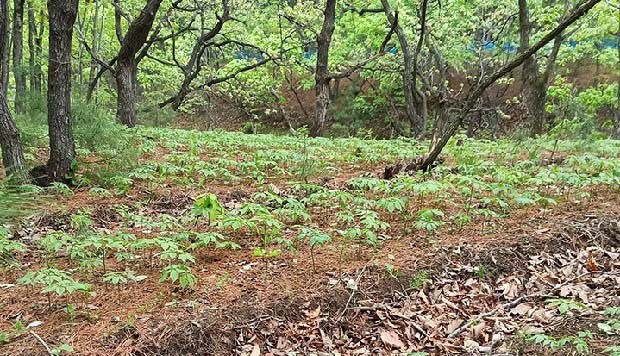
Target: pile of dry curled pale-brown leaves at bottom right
{"type": "Point", "coordinates": [460, 310]}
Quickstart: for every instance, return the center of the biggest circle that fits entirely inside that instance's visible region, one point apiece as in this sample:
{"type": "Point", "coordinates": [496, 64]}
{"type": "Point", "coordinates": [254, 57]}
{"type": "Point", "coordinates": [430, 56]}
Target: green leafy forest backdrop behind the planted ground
{"type": "Point", "coordinates": [352, 68]}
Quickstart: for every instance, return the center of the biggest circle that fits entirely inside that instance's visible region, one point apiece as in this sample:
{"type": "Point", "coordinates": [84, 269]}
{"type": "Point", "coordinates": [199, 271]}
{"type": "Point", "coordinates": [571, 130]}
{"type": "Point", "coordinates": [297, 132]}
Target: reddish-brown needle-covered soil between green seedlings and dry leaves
{"type": "Point", "coordinates": [154, 318]}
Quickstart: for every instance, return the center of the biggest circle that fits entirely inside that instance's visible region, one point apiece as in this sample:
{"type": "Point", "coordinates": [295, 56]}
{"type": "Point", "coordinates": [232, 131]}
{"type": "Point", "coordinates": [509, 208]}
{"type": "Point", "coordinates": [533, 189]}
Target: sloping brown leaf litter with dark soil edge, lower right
{"type": "Point", "coordinates": [462, 308]}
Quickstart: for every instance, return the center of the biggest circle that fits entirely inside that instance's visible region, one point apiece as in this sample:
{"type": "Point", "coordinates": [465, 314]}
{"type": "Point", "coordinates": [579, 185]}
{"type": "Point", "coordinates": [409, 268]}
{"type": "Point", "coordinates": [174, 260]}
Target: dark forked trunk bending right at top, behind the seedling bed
{"type": "Point", "coordinates": [127, 64]}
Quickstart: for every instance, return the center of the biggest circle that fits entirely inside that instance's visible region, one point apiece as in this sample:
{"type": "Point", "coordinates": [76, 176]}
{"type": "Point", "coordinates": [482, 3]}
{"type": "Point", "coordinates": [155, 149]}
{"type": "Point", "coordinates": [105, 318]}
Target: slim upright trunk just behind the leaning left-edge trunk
{"type": "Point", "coordinates": [18, 48]}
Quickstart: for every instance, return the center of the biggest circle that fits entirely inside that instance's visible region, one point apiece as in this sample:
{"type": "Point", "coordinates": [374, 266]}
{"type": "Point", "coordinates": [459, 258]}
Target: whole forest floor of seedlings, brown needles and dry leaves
{"type": "Point", "coordinates": [531, 278]}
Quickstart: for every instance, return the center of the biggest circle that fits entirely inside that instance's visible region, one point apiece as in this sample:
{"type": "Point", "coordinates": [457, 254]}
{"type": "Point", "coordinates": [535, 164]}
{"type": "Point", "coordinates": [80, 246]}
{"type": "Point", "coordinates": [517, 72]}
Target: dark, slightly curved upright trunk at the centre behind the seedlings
{"type": "Point", "coordinates": [322, 69]}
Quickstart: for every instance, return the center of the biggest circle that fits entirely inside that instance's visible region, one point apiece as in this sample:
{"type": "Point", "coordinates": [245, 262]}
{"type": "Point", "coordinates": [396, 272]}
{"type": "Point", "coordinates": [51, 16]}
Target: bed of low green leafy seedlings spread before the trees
{"type": "Point", "coordinates": [279, 200]}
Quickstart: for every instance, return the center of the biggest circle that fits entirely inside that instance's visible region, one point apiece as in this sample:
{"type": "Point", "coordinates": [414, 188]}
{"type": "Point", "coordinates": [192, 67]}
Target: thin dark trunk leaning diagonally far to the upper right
{"type": "Point", "coordinates": [475, 94]}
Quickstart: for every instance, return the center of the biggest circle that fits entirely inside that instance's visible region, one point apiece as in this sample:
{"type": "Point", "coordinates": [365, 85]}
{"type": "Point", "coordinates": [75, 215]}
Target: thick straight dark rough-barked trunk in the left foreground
{"type": "Point", "coordinates": [62, 15]}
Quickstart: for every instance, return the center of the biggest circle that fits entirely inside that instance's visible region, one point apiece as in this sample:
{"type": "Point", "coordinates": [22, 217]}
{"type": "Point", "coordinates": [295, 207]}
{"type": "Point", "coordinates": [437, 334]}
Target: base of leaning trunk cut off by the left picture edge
{"type": "Point", "coordinates": [12, 153]}
